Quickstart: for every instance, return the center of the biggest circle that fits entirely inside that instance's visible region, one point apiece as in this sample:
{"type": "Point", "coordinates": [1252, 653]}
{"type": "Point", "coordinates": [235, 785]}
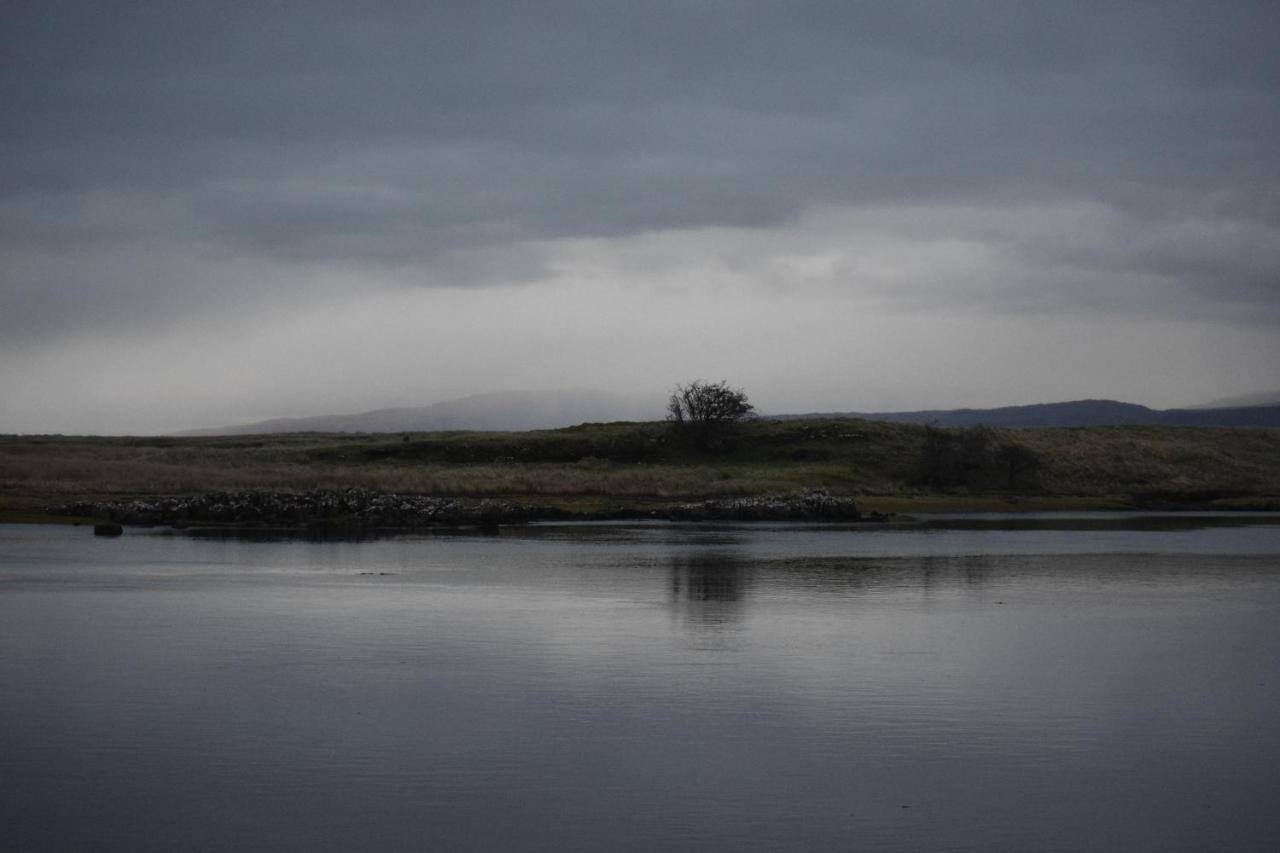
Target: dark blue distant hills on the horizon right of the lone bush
{"type": "Point", "coordinates": [1078, 413]}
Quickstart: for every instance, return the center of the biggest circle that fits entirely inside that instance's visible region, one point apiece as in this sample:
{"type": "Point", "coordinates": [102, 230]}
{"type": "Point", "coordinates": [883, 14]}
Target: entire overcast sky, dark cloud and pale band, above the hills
{"type": "Point", "coordinates": [214, 213]}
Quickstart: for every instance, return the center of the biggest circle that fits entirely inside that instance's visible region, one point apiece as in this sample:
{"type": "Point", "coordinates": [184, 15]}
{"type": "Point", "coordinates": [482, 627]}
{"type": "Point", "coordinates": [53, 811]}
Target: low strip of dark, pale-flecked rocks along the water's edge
{"type": "Point", "coordinates": [383, 510]}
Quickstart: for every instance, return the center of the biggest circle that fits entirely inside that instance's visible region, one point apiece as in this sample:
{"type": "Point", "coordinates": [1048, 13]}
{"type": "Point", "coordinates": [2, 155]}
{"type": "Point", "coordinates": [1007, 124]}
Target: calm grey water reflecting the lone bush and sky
{"type": "Point", "coordinates": [1046, 683]}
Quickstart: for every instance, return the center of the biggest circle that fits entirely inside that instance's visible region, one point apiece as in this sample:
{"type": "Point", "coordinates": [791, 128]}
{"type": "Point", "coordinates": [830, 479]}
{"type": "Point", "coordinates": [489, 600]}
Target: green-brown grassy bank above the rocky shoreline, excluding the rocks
{"type": "Point", "coordinates": [601, 467]}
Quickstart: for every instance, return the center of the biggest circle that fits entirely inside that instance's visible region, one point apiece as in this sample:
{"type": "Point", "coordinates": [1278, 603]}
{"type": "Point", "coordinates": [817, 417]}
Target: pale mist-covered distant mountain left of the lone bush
{"type": "Point", "coordinates": [504, 410]}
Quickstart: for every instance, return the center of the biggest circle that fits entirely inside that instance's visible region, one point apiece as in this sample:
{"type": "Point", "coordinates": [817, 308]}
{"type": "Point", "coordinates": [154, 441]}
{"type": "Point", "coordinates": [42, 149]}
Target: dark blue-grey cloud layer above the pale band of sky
{"type": "Point", "coordinates": [403, 136]}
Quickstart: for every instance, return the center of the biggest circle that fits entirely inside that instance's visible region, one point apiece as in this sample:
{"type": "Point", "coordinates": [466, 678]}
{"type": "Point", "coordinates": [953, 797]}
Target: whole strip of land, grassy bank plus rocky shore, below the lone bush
{"type": "Point", "coordinates": [824, 469]}
